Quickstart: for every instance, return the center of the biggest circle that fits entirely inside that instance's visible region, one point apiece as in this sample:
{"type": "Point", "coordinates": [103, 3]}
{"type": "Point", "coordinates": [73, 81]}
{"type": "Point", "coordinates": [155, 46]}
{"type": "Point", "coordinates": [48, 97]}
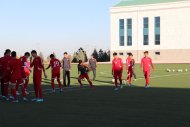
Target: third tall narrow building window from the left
{"type": "Point", "coordinates": [146, 31]}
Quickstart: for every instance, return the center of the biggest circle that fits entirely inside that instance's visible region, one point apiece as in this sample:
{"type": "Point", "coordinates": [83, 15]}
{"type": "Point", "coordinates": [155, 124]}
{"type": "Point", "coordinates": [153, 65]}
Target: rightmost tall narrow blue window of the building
{"type": "Point", "coordinates": [157, 30]}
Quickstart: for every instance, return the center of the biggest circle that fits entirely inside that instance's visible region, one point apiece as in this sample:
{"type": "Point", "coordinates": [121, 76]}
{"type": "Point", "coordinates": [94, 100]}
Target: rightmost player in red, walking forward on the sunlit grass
{"type": "Point", "coordinates": [146, 63]}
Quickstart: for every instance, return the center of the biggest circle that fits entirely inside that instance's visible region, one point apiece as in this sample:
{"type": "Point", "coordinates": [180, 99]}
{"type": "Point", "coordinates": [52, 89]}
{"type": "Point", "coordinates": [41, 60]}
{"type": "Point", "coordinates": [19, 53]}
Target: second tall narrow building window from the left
{"type": "Point", "coordinates": [129, 32]}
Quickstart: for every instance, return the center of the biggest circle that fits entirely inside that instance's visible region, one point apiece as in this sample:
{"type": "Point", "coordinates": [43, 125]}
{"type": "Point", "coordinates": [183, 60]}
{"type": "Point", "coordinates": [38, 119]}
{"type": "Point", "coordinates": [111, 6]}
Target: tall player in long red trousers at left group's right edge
{"type": "Point", "coordinates": [37, 63]}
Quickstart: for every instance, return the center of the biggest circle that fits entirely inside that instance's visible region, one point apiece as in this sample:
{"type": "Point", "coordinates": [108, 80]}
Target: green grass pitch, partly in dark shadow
{"type": "Point", "coordinates": [165, 104]}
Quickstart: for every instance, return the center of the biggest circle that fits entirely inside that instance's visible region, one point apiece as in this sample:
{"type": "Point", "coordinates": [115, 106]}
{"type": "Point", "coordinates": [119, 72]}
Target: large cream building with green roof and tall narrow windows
{"type": "Point", "coordinates": [160, 26]}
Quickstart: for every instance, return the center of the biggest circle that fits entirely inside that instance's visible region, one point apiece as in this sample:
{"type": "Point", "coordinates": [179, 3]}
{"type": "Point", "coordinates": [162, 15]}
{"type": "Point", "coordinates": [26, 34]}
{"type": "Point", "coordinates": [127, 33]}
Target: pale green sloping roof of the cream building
{"type": "Point", "coordinates": [142, 2]}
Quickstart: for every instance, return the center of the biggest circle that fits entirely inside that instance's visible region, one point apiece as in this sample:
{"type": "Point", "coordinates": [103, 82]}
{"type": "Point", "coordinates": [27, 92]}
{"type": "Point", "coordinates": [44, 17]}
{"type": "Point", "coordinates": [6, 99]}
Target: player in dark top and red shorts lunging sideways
{"type": "Point", "coordinates": [83, 69]}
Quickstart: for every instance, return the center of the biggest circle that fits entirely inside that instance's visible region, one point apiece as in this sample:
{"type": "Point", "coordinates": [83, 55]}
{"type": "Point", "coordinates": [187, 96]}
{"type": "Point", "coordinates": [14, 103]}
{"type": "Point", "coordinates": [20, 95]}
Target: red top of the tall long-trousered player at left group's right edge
{"type": "Point", "coordinates": [37, 64]}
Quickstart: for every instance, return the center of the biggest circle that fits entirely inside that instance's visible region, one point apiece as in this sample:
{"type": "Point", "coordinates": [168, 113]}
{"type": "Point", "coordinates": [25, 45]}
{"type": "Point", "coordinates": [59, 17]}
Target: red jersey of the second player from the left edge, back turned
{"type": "Point", "coordinates": [15, 66]}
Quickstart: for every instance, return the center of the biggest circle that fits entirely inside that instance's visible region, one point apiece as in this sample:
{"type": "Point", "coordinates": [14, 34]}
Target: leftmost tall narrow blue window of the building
{"type": "Point", "coordinates": [121, 32]}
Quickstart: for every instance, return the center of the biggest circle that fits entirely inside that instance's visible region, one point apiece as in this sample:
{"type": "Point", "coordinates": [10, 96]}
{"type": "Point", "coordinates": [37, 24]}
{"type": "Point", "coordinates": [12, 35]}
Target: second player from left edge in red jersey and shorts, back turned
{"type": "Point", "coordinates": [15, 67]}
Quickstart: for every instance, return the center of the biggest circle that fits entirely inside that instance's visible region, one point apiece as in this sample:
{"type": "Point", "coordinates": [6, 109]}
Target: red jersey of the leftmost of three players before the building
{"type": "Point", "coordinates": [117, 64]}
